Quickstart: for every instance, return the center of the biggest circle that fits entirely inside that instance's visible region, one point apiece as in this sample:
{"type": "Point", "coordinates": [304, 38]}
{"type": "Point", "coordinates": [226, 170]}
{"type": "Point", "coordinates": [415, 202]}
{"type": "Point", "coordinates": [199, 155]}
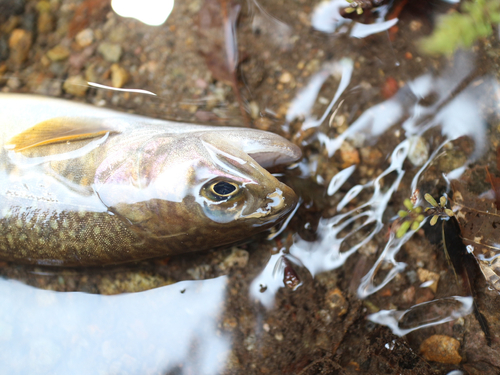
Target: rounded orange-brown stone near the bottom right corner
{"type": "Point", "coordinates": [442, 349]}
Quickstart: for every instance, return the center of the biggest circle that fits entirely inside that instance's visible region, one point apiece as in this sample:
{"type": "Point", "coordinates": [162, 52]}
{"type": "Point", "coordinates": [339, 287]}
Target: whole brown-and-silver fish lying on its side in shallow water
{"type": "Point", "coordinates": [82, 185]}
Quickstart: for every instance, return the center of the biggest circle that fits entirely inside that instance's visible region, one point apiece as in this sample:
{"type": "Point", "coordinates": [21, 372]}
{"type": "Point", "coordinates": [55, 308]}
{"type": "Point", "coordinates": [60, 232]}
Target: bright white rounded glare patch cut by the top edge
{"type": "Point", "coordinates": [151, 12]}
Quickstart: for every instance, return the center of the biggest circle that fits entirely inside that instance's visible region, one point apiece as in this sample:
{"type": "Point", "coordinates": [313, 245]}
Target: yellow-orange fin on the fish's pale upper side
{"type": "Point", "coordinates": [60, 129]}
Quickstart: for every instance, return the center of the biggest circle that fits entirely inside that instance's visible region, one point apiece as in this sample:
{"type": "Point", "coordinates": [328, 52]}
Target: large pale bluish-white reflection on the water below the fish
{"type": "Point", "coordinates": [150, 332]}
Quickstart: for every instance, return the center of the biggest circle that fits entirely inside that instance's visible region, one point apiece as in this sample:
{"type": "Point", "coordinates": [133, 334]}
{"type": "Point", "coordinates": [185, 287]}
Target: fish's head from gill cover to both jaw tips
{"type": "Point", "coordinates": [201, 190]}
